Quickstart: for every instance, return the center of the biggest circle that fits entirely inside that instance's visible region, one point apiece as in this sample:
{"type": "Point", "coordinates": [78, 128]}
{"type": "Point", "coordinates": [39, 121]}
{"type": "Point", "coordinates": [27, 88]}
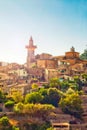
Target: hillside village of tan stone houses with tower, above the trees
{"type": "Point", "coordinates": [40, 68]}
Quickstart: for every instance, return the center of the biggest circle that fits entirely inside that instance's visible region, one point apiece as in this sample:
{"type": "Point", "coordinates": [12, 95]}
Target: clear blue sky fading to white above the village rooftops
{"type": "Point", "coordinates": [55, 25]}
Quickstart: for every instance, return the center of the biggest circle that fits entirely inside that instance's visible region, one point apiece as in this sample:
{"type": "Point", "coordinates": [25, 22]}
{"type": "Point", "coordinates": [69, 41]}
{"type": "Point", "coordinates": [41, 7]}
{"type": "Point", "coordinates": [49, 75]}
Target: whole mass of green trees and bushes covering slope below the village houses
{"type": "Point", "coordinates": [40, 102]}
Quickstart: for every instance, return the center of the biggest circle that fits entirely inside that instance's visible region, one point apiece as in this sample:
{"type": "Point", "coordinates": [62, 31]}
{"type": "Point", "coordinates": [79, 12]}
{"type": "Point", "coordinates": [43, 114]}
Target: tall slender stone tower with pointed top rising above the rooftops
{"type": "Point", "coordinates": [30, 53]}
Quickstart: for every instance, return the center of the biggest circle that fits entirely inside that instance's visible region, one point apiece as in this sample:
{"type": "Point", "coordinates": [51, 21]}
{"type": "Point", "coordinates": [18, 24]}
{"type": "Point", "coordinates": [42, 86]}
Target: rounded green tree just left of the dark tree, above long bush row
{"type": "Point", "coordinates": [34, 97]}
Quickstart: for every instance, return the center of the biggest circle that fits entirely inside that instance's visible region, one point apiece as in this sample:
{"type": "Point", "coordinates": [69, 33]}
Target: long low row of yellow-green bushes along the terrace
{"type": "Point", "coordinates": [33, 109]}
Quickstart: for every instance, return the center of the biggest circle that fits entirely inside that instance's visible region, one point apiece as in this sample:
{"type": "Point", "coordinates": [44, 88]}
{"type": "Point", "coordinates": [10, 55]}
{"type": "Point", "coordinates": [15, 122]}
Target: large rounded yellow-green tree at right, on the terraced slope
{"type": "Point", "coordinates": [71, 104]}
